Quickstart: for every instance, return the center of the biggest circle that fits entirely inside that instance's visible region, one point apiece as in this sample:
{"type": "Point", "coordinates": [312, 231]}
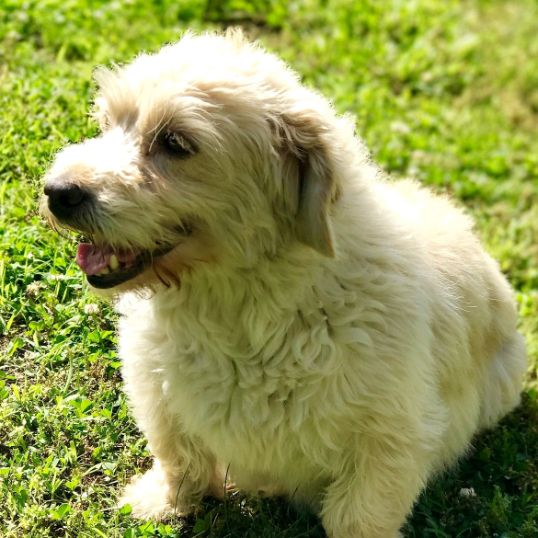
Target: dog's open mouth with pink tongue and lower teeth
{"type": "Point", "coordinates": [106, 267]}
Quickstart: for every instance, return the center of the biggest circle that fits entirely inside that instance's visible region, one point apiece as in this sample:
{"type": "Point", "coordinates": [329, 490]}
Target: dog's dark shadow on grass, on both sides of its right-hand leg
{"type": "Point", "coordinates": [491, 492]}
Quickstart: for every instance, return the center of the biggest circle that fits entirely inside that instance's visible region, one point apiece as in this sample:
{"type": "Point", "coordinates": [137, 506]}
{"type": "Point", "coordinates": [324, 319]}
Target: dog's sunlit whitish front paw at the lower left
{"type": "Point", "coordinates": [151, 497]}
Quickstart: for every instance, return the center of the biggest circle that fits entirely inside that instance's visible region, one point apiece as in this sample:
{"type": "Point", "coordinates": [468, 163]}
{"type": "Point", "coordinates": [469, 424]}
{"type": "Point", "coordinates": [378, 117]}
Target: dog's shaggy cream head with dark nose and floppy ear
{"type": "Point", "coordinates": [210, 152]}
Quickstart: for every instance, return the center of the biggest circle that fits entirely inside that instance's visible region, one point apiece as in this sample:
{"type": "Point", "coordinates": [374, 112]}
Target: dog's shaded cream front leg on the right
{"type": "Point", "coordinates": [373, 493]}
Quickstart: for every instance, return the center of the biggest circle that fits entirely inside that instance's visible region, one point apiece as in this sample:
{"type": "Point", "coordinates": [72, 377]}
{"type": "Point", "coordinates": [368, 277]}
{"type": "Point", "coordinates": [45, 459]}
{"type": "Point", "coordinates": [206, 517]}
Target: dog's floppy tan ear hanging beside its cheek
{"type": "Point", "coordinates": [302, 135]}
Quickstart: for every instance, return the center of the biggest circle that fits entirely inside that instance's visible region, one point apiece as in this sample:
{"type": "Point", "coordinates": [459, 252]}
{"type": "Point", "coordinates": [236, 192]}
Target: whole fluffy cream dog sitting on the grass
{"type": "Point", "coordinates": [317, 329]}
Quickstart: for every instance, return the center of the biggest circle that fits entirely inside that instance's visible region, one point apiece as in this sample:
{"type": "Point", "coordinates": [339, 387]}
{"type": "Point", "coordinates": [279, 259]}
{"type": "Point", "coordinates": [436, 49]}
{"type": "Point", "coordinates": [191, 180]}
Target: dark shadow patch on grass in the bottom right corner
{"type": "Point", "coordinates": [502, 470]}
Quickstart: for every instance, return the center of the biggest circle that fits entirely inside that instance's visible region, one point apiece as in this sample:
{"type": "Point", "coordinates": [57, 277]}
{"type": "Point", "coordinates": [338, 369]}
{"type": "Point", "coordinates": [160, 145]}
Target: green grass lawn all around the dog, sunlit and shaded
{"type": "Point", "coordinates": [445, 91]}
